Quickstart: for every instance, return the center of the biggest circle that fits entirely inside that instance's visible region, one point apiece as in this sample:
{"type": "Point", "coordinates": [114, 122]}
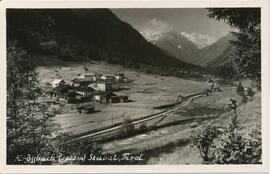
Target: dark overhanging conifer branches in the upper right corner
{"type": "Point", "coordinates": [246, 53]}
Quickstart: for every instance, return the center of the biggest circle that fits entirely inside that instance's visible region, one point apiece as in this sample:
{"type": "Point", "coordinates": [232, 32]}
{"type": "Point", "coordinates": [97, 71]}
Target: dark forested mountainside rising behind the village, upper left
{"type": "Point", "coordinates": [82, 35]}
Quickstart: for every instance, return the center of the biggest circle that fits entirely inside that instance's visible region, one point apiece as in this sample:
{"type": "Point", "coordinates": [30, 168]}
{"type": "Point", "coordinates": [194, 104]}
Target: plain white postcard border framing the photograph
{"type": "Point", "coordinates": [263, 4]}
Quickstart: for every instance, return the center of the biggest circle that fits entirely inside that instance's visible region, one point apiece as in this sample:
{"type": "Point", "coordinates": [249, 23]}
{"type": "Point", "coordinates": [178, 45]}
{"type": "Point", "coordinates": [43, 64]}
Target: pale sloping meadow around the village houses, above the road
{"type": "Point", "coordinates": [145, 91]}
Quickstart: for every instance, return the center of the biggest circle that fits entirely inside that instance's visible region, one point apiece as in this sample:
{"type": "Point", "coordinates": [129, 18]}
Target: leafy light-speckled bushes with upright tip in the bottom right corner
{"type": "Point", "coordinates": [228, 145]}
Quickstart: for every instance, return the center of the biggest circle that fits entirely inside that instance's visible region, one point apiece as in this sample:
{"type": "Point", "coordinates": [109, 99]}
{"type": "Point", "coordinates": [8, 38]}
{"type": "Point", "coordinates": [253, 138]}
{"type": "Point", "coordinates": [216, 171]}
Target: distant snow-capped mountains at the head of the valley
{"type": "Point", "coordinates": [192, 48]}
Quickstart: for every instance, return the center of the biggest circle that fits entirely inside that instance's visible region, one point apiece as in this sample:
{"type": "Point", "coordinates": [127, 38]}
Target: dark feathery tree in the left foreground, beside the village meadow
{"type": "Point", "coordinates": [29, 124]}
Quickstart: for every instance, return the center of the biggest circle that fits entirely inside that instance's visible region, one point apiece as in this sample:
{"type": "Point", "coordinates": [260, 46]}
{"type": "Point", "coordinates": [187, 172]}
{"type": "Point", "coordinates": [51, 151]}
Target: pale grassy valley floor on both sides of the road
{"type": "Point", "coordinates": [168, 145]}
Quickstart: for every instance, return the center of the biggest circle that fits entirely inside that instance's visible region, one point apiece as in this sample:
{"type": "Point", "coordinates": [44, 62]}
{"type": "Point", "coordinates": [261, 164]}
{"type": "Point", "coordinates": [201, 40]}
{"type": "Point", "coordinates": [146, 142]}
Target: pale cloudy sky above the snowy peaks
{"type": "Point", "coordinates": [187, 20]}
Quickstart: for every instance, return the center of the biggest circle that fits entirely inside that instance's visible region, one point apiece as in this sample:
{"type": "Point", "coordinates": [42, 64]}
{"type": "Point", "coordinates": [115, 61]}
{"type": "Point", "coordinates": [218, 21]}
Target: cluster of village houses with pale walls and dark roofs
{"type": "Point", "coordinates": [86, 89]}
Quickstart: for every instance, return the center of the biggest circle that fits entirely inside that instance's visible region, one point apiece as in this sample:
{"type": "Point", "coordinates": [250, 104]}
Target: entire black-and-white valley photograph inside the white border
{"type": "Point", "coordinates": [133, 86]}
